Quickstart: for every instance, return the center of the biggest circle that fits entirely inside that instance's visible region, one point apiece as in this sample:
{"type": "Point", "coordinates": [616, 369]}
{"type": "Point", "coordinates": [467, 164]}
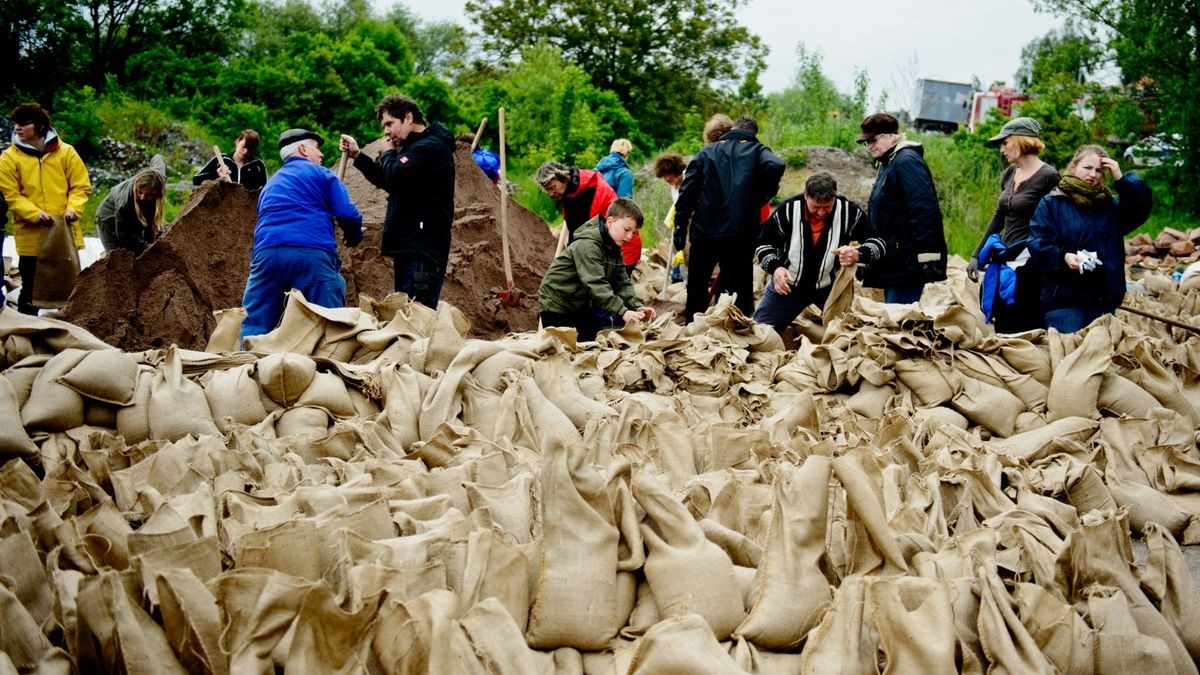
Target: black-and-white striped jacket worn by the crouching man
{"type": "Point", "coordinates": [787, 241]}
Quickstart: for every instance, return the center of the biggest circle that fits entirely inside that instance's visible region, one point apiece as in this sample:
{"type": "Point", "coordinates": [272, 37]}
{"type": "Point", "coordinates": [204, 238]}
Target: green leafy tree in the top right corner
{"type": "Point", "coordinates": [1156, 44]}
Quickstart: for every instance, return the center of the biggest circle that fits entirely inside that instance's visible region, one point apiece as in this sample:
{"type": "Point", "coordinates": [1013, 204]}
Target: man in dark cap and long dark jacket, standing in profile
{"type": "Point", "coordinates": [907, 246]}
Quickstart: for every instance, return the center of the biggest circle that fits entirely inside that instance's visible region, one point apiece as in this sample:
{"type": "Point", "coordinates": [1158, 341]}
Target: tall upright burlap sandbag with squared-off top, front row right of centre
{"type": "Point", "coordinates": [791, 590]}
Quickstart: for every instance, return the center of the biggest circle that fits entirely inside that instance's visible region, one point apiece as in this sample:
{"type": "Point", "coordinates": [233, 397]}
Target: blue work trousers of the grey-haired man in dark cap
{"type": "Point", "coordinates": [275, 271]}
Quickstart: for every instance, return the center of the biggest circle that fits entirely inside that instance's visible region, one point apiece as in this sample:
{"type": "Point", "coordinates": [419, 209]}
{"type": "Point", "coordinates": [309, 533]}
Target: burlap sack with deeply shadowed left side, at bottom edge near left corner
{"type": "Point", "coordinates": [115, 635]}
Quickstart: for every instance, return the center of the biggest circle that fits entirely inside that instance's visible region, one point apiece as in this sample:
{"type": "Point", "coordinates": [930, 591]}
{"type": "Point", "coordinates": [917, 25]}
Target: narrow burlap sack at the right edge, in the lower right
{"type": "Point", "coordinates": [1168, 582]}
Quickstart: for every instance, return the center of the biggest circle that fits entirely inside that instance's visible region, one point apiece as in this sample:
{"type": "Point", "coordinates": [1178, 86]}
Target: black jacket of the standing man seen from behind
{"type": "Point", "coordinates": [725, 187]}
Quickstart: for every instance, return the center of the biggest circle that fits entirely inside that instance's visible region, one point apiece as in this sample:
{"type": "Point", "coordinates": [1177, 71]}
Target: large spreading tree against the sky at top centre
{"type": "Point", "coordinates": [661, 57]}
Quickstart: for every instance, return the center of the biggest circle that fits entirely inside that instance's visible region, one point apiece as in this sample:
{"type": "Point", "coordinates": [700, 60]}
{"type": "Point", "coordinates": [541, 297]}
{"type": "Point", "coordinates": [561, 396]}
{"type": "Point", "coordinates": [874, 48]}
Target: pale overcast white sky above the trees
{"type": "Point", "coordinates": [950, 40]}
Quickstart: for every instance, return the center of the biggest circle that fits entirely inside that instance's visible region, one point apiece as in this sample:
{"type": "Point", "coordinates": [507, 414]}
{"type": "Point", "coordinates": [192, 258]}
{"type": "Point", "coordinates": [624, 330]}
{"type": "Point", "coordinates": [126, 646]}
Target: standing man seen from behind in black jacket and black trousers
{"type": "Point", "coordinates": [719, 206]}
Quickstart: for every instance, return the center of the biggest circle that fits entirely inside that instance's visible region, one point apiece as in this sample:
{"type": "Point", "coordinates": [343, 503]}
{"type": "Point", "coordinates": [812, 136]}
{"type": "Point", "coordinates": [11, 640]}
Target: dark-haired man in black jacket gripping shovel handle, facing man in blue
{"type": "Point", "coordinates": [418, 174]}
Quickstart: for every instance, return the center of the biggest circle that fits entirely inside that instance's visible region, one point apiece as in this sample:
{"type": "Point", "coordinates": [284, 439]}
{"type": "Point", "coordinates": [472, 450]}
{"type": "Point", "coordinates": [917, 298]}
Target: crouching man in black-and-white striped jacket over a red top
{"type": "Point", "coordinates": [799, 248]}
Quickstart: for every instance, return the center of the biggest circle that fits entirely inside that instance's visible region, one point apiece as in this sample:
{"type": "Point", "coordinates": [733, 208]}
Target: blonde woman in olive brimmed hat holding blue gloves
{"type": "Point", "coordinates": [1010, 296]}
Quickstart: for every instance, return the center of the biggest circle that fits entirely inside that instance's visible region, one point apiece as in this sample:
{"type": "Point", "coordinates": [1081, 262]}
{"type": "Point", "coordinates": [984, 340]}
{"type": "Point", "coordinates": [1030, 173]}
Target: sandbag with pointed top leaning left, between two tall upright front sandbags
{"type": "Point", "coordinates": [686, 571]}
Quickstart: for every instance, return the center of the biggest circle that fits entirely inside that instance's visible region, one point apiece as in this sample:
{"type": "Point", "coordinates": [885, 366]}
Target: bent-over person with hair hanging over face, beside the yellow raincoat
{"type": "Point", "coordinates": [131, 216]}
